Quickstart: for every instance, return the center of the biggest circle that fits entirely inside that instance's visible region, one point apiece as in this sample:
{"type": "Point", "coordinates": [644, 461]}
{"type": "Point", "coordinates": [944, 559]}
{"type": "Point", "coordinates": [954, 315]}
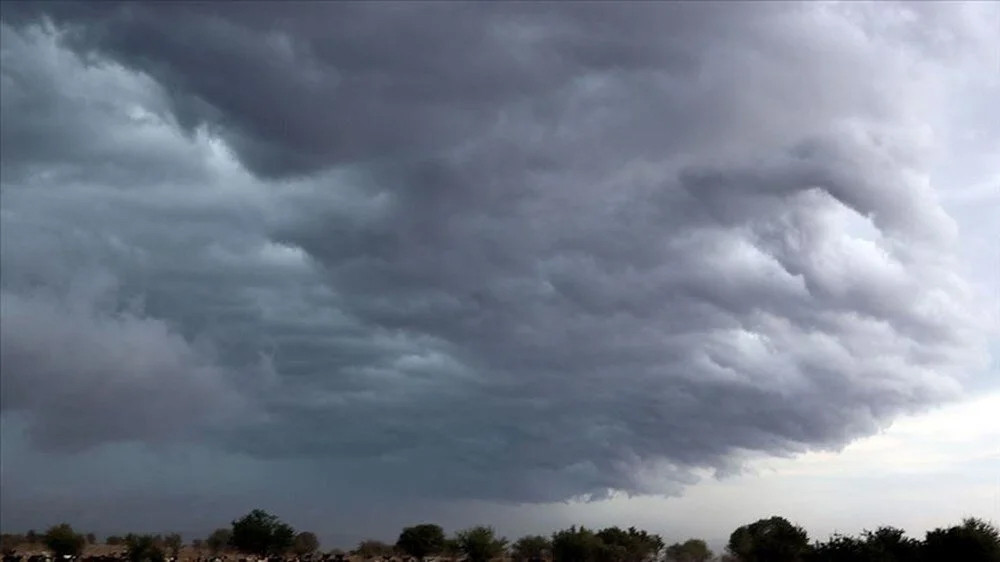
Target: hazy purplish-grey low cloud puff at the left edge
{"type": "Point", "coordinates": [85, 375]}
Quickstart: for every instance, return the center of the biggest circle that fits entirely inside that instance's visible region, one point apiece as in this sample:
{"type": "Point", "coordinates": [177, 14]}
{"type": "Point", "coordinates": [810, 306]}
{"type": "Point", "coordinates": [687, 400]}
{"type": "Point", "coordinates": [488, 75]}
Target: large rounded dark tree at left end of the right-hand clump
{"type": "Point", "coordinates": [769, 540]}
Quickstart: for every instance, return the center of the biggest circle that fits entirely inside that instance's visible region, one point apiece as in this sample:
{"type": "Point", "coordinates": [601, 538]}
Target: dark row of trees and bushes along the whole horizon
{"type": "Point", "coordinates": [774, 539]}
